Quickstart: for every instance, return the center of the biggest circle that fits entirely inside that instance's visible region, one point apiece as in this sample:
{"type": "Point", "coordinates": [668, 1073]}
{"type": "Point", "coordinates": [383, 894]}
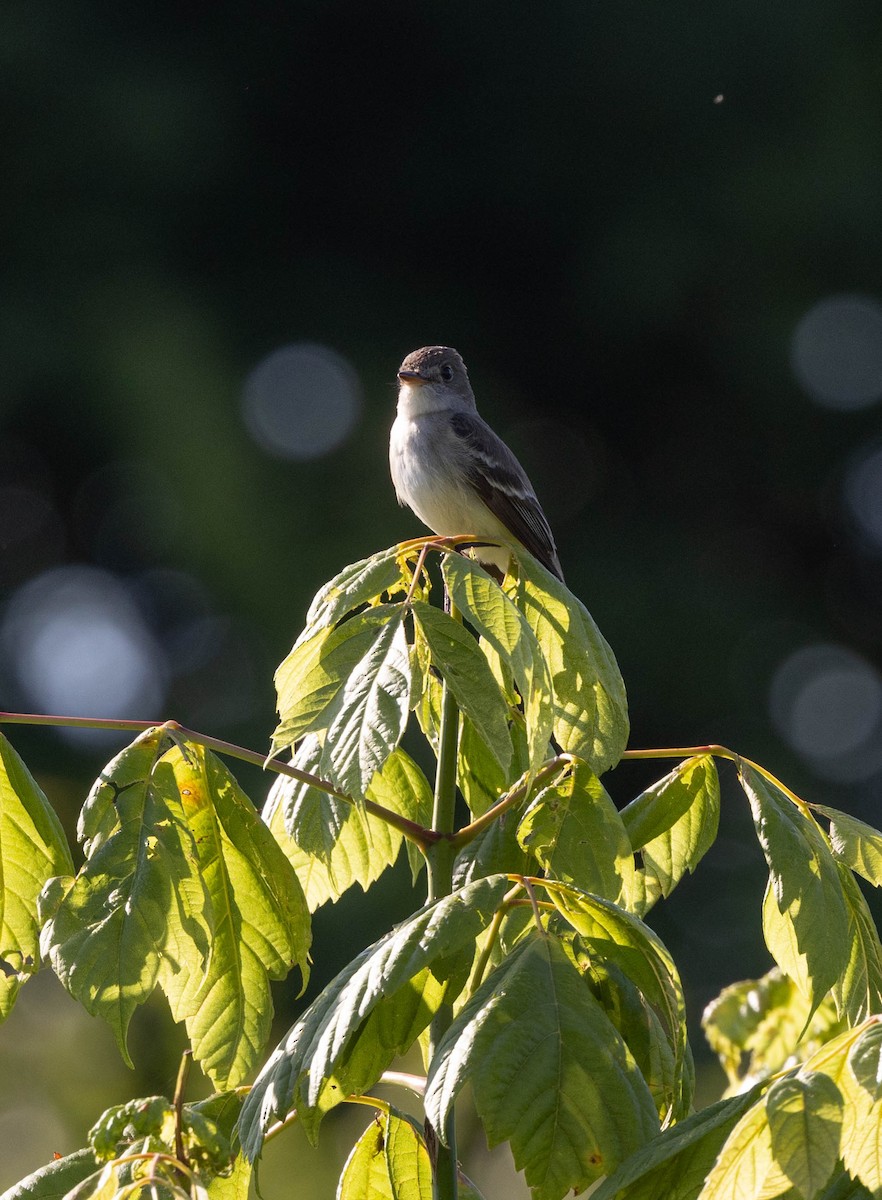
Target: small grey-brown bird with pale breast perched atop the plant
{"type": "Point", "coordinates": [453, 470]}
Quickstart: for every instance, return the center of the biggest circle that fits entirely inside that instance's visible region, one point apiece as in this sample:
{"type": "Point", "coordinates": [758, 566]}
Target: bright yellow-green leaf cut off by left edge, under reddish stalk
{"type": "Point", "coordinates": [33, 850]}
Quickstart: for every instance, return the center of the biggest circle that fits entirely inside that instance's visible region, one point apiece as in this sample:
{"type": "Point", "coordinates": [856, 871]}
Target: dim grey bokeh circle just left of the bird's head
{"type": "Point", "coordinates": [302, 401]}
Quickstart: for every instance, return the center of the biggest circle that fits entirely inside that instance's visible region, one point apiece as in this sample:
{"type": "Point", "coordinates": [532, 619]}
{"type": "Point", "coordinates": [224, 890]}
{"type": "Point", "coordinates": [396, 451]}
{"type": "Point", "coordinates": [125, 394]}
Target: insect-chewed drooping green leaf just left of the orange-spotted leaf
{"type": "Point", "coordinates": [109, 929]}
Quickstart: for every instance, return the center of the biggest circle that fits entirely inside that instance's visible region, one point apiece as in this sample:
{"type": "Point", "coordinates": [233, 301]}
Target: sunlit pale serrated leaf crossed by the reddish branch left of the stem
{"type": "Point", "coordinates": [333, 844]}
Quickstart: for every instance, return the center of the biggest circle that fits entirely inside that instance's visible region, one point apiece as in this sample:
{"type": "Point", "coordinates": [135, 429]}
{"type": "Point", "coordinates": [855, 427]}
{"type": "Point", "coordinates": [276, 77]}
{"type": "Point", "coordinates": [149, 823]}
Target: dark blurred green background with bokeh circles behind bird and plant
{"type": "Point", "coordinates": [652, 231]}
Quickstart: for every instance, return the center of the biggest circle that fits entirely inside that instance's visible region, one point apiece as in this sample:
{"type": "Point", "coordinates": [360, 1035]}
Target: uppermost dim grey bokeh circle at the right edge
{"type": "Point", "coordinates": [837, 352]}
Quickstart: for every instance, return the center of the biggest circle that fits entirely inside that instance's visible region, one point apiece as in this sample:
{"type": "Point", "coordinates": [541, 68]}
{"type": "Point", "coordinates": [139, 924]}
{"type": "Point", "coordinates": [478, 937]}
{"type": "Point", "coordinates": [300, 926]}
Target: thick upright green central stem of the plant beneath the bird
{"type": "Point", "coordinates": [440, 859]}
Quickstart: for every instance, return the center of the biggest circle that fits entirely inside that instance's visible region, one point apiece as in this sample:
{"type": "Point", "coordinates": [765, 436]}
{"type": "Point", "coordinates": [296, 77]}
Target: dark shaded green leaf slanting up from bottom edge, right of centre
{"type": "Point", "coordinates": [676, 1165]}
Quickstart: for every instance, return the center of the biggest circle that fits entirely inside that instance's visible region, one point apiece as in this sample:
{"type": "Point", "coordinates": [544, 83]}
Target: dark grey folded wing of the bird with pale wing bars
{"type": "Point", "coordinates": [501, 482]}
